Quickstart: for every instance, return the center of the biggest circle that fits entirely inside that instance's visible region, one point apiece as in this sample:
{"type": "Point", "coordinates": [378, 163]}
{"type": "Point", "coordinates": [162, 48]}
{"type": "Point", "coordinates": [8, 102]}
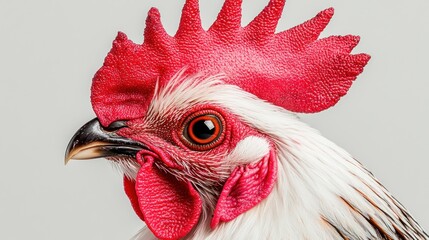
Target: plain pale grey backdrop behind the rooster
{"type": "Point", "coordinates": [49, 51]}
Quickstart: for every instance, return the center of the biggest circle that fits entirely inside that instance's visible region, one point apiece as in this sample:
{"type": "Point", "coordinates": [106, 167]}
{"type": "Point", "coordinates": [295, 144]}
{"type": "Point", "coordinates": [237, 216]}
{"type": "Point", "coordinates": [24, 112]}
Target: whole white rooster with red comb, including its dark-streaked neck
{"type": "Point", "coordinates": [202, 125]}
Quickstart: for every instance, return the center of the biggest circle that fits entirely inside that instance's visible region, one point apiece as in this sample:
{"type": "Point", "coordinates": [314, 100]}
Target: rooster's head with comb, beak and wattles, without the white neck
{"type": "Point", "coordinates": [172, 111]}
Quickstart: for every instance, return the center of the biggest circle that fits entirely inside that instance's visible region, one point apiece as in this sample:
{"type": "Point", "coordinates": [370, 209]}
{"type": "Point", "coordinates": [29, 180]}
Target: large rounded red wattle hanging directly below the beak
{"type": "Point", "coordinates": [170, 207]}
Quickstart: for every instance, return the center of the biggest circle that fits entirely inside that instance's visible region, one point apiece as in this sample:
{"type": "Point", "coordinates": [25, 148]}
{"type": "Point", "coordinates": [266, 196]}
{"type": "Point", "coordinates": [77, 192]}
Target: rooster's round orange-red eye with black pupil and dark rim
{"type": "Point", "coordinates": [203, 131]}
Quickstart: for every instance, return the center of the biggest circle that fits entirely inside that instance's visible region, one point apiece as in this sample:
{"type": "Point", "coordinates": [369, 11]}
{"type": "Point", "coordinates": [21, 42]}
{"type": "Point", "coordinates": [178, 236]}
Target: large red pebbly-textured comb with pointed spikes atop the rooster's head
{"type": "Point", "coordinates": [292, 69]}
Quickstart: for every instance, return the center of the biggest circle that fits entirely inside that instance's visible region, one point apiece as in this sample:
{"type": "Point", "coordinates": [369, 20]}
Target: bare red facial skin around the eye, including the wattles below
{"type": "Point", "coordinates": [166, 192]}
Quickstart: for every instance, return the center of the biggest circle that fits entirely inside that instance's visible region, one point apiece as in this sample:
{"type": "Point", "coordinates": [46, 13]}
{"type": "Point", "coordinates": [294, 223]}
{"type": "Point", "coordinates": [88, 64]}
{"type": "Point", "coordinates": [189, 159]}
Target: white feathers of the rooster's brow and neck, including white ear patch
{"type": "Point", "coordinates": [321, 191]}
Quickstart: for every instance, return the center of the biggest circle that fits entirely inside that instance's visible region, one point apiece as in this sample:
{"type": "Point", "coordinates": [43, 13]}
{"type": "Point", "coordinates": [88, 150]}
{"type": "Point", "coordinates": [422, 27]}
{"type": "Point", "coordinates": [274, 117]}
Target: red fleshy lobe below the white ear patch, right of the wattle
{"type": "Point", "coordinates": [247, 186]}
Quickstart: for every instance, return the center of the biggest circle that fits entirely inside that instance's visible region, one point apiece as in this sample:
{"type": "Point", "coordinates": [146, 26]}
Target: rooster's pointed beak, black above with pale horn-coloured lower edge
{"type": "Point", "coordinates": [94, 141]}
